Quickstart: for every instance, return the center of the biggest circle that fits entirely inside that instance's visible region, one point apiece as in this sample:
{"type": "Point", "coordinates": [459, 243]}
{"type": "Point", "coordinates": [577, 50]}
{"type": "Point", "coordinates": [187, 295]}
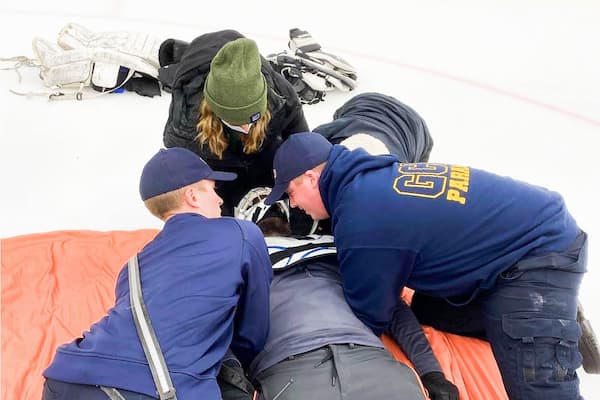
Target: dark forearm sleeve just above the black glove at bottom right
{"type": "Point", "coordinates": [408, 333]}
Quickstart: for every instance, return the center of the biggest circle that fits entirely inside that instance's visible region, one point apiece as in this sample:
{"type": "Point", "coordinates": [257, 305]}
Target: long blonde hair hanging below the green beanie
{"type": "Point", "coordinates": [210, 132]}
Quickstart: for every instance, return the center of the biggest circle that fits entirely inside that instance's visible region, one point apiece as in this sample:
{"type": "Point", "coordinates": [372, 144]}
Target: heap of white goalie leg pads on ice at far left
{"type": "Point", "coordinates": [104, 61]}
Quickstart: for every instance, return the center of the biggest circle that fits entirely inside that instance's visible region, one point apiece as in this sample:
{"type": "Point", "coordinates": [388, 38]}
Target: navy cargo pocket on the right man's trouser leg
{"type": "Point", "coordinates": [546, 349]}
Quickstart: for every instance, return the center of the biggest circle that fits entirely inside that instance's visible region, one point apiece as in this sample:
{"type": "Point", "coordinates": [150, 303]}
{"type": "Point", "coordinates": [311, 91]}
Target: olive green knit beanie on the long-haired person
{"type": "Point", "coordinates": [235, 87]}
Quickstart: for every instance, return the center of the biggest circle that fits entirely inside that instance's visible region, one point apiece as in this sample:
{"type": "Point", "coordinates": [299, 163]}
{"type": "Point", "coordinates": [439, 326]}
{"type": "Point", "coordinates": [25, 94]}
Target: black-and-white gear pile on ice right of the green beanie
{"type": "Point", "coordinates": [311, 71]}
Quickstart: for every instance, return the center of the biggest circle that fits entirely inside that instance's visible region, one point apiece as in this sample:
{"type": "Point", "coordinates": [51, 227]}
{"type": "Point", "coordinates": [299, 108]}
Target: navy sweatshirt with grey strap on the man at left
{"type": "Point", "coordinates": [206, 285]}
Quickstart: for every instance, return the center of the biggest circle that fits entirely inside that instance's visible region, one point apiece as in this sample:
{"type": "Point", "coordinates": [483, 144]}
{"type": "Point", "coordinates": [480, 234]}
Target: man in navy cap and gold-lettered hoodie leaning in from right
{"type": "Point", "coordinates": [505, 256]}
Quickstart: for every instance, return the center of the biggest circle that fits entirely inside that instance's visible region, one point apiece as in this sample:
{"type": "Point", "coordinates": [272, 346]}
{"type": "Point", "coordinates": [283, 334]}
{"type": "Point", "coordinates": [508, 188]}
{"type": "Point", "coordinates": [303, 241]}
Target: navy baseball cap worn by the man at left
{"type": "Point", "coordinates": [173, 168]}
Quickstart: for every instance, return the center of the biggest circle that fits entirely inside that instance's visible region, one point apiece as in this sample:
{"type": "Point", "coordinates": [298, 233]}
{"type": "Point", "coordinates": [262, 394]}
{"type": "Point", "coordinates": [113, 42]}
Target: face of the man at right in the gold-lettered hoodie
{"type": "Point", "coordinates": [303, 192]}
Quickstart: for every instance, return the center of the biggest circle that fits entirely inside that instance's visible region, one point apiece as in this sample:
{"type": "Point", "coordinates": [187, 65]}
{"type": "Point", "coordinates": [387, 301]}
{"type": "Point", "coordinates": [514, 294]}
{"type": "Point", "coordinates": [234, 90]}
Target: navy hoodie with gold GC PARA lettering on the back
{"type": "Point", "coordinates": [444, 230]}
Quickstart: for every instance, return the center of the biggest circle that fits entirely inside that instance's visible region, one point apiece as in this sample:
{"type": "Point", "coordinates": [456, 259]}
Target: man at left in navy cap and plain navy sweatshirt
{"type": "Point", "coordinates": [205, 281]}
